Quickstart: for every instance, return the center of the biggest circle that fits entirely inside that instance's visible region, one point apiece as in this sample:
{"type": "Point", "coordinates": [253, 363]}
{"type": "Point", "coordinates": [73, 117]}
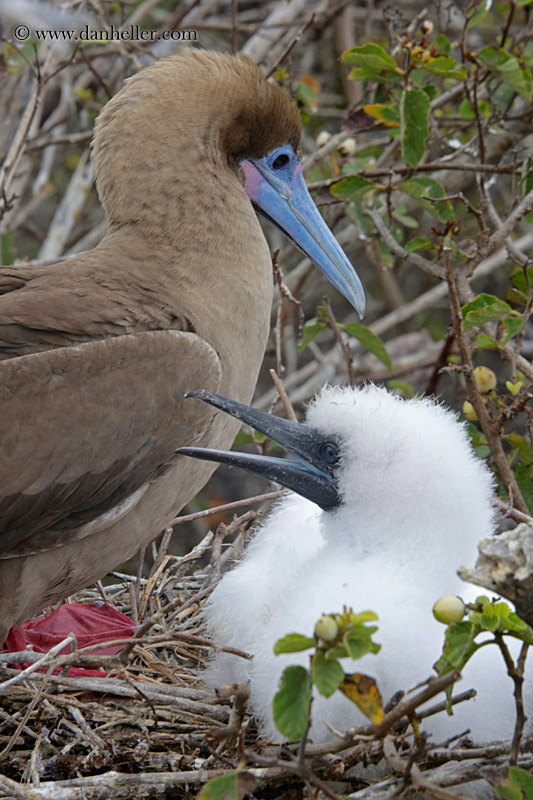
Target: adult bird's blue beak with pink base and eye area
{"type": "Point", "coordinates": [276, 187]}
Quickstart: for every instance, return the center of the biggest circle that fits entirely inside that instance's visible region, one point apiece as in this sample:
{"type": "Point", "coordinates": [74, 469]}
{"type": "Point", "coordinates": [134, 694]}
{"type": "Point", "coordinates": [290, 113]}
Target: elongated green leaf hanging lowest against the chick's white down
{"type": "Point", "coordinates": [291, 703]}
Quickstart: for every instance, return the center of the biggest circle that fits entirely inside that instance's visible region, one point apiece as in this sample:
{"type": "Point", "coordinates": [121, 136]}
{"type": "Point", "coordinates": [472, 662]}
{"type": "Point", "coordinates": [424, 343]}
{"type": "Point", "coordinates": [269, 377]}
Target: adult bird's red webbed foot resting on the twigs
{"type": "Point", "coordinates": [91, 624]}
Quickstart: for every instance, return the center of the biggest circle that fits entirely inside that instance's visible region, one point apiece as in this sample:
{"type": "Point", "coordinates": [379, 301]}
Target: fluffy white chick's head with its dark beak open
{"type": "Point", "coordinates": [374, 460]}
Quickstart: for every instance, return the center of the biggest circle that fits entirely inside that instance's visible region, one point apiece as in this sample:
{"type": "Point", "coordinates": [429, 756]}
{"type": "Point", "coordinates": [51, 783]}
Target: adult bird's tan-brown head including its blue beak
{"type": "Point", "coordinates": [148, 147]}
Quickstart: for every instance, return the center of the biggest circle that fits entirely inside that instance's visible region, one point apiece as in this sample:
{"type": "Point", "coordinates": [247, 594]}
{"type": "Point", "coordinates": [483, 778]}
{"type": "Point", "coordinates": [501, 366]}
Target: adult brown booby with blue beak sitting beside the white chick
{"type": "Point", "coordinates": [96, 353]}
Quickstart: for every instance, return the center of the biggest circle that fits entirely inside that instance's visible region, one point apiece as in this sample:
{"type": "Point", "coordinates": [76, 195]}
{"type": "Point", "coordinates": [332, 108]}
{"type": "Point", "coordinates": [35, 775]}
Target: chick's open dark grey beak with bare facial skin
{"type": "Point", "coordinates": [312, 475]}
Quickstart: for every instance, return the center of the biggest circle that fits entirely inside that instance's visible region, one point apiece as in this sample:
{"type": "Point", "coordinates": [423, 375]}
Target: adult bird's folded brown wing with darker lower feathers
{"type": "Point", "coordinates": [85, 429]}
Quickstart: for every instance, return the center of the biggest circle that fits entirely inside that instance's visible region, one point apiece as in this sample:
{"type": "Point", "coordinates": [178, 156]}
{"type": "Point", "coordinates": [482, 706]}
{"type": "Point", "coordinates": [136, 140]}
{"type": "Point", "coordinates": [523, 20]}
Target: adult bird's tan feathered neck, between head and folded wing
{"type": "Point", "coordinates": [197, 249]}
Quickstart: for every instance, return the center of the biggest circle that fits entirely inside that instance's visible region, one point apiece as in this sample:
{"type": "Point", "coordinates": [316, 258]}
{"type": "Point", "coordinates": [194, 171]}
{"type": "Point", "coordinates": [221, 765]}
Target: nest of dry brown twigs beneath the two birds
{"type": "Point", "coordinates": [152, 728]}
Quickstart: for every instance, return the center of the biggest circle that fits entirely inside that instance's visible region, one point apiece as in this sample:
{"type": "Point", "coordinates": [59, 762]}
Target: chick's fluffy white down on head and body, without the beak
{"type": "Point", "coordinates": [416, 501]}
